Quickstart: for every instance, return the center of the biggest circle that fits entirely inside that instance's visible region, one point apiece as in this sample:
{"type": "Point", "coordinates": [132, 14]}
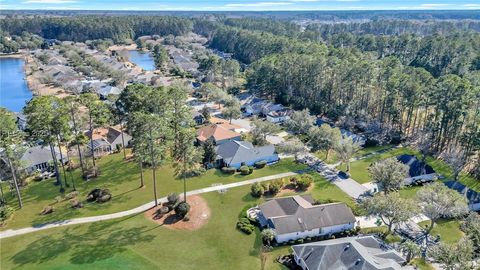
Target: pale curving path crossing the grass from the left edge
{"type": "Point", "coordinates": [140, 209]}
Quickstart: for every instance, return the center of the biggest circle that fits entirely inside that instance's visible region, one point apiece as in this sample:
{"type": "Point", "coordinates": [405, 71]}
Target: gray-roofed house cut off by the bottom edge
{"type": "Point", "coordinates": [359, 252]}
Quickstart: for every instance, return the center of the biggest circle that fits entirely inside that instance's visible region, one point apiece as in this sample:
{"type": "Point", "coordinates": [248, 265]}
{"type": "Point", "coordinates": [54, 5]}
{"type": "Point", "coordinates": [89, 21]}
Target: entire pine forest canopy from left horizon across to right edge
{"type": "Point", "coordinates": [404, 74]}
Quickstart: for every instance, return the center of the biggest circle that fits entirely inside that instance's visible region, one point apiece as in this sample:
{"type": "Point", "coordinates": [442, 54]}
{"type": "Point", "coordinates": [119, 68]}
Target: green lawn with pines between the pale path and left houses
{"type": "Point", "coordinates": [123, 179]}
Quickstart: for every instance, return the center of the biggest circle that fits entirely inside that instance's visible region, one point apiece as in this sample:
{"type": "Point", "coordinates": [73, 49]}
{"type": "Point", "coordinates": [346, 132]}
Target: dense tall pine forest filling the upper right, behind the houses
{"type": "Point", "coordinates": [406, 83]}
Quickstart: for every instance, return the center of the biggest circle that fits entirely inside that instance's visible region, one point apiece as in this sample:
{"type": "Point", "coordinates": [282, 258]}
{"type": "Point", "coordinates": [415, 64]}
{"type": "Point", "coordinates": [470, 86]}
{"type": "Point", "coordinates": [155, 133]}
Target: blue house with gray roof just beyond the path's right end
{"type": "Point", "coordinates": [237, 153]}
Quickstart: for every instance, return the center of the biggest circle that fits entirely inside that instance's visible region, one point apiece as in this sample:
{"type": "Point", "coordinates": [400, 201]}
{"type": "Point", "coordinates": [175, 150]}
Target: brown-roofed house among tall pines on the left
{"type": "Point", "coordinates": [107, 140]}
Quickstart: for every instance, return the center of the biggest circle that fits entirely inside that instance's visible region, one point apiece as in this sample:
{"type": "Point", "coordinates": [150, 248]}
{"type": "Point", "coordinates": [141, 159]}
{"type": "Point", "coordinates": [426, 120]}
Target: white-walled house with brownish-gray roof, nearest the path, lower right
{"type": "Point", "coordinates": [297, 217]}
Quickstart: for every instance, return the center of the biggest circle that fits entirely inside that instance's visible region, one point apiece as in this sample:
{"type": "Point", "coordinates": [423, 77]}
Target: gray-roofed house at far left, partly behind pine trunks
{"type": "Point", "coordinates": [39, 158]}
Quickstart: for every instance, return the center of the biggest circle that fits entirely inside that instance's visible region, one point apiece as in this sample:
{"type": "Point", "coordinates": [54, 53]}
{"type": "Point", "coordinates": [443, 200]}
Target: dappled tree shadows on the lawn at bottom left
{"type": "Point", "coordinates": [101, 241]}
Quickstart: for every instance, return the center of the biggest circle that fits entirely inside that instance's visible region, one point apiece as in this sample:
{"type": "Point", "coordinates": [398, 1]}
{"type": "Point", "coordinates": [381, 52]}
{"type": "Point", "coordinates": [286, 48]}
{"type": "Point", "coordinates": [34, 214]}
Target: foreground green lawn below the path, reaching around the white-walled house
{"type": "Point", "coordinates": [137, 243]}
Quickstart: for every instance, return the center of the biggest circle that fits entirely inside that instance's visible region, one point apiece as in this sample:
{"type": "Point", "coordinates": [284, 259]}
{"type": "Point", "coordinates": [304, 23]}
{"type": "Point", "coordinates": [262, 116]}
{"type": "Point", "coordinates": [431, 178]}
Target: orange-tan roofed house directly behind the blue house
{"type": "Point", "coordinates": [217, 133]}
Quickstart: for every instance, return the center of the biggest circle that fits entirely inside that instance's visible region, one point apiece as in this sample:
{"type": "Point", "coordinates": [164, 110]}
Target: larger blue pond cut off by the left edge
{"type": "Point", "coordinates": [14, 91]}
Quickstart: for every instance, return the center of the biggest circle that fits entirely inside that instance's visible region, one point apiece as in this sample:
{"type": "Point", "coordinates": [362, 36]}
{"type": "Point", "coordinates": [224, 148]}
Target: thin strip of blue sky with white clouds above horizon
{"type": "Point", "coordinates": [241, 4]}
